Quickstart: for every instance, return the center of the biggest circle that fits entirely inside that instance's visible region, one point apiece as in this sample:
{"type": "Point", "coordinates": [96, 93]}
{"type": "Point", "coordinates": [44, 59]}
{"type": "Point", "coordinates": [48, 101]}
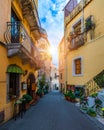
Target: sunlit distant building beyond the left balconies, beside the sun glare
{"type": "Point", "coordinates": [44, 49]}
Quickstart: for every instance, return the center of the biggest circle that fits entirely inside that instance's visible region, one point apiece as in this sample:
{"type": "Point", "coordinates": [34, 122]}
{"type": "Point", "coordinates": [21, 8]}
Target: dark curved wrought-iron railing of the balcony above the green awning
{"type": "Point", "coordinates": [17, 35]}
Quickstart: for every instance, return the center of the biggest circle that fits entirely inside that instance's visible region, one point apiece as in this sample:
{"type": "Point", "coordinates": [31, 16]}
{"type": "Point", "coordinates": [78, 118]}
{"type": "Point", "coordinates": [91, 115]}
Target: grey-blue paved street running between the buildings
{"type": "Point", "coordinates": [53, 112]}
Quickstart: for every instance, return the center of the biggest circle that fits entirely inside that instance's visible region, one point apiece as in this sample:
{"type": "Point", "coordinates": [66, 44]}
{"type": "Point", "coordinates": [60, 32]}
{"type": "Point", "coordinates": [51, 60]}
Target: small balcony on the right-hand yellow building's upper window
{"type": "Point", "coordinates": [76, 41]}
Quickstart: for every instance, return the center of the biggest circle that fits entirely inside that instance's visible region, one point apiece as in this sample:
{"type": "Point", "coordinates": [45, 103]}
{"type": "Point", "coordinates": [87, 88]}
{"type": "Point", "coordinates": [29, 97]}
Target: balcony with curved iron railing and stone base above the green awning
{"type": "Point", "coordinates": [19, 44]}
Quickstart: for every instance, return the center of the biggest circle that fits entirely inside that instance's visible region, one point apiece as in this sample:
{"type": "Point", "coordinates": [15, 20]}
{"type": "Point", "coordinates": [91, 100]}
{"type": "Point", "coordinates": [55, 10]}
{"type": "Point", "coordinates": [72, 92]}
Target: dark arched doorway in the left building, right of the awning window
{"type": "Point", "coordinates": [30, 80]}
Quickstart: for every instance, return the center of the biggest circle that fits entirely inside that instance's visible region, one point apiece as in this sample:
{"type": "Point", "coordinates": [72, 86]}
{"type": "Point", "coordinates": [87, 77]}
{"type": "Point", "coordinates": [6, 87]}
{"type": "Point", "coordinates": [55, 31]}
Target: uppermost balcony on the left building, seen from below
{"type": "Point", "coordinates": [30, 13]}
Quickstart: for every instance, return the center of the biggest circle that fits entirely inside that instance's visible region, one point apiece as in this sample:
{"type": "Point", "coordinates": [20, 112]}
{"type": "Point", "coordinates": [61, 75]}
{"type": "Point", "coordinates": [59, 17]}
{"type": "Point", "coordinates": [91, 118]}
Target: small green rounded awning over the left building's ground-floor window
{"type": "Point", "coordinates": [14, 69]}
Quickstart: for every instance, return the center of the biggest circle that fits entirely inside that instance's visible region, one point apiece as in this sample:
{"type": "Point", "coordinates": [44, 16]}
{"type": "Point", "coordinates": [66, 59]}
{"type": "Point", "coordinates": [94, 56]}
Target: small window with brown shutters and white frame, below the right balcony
{"type": "Point", "coordinates": [77, 66]}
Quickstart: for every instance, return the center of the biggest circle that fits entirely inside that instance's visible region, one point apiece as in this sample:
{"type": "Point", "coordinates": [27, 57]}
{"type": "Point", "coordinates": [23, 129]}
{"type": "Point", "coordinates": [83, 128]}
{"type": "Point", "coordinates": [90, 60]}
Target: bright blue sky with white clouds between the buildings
{"type": "Point", "coordinates": [52, 19]}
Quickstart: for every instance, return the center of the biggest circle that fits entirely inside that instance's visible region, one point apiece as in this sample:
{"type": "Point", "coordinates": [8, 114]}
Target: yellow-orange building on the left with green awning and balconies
{"type": "Point", "coordinates": [19, 57]}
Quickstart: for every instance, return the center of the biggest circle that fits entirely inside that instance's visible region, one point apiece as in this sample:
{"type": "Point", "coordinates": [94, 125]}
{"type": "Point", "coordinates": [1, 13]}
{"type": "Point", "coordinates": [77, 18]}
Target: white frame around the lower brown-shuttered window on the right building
{"type": "Point", "coordinates": [73, 66]}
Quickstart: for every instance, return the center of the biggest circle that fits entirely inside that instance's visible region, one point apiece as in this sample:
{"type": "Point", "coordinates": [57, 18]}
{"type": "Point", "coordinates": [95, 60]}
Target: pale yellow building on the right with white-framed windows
{"type": "Point", "coordinates": [84, 48]}
